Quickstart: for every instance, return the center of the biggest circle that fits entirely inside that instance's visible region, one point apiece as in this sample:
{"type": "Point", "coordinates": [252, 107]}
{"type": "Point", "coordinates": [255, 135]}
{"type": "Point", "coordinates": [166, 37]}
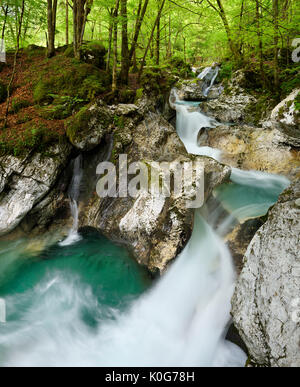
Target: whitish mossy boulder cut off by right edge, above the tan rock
{"type": "Point", "coordinates": [286, 117]}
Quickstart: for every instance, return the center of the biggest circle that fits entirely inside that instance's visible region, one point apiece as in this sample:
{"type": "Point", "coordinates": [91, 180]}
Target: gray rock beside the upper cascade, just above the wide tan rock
{"type": "Point", "coordinates": [232, 108]}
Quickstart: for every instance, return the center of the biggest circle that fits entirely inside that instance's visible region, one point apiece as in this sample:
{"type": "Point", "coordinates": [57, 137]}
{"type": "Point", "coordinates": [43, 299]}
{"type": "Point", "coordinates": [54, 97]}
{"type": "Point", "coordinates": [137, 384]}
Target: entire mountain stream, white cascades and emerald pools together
{"type": "Point", "coordinates": [85, 302]}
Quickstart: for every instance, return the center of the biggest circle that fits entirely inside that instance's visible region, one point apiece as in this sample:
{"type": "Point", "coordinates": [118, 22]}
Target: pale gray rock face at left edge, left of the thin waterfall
{"type": "Point", "coordinates": [24, 183]}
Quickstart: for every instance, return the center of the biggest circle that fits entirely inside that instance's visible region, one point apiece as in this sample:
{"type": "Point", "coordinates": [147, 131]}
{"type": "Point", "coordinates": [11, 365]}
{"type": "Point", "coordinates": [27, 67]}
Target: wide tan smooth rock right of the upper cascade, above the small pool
{"type": "Point", "coordinates": [252, 148]}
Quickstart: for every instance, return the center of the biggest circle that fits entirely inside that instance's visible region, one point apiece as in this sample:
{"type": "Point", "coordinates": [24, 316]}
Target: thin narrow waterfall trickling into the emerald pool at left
{"type": "Point", "coordinates": [74, 193]}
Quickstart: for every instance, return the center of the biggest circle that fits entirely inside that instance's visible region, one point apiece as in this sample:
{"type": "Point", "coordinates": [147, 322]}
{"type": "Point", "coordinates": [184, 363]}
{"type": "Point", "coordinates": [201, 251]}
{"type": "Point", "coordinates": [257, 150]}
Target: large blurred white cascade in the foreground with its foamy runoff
{"type": "Point", "coordinates": [181, 321]}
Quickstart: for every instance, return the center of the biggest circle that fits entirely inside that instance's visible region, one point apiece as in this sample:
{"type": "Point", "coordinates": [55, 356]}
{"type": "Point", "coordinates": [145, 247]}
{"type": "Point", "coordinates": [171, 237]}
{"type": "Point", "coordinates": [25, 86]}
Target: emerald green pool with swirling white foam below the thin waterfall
{"type": "Point", "coordinates": [63, 290]}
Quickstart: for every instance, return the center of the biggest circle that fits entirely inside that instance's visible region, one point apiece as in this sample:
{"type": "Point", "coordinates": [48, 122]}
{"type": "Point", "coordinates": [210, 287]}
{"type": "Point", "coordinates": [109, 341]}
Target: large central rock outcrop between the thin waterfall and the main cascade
{"type": "Point", "coordinates": [156, 228]}
